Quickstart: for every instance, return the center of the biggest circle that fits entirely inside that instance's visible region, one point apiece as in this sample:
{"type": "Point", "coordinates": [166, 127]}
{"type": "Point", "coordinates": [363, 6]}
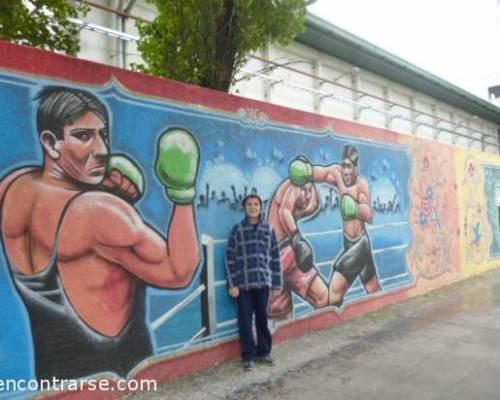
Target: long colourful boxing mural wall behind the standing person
{"type": "Point", "coordinates": [118, 192]}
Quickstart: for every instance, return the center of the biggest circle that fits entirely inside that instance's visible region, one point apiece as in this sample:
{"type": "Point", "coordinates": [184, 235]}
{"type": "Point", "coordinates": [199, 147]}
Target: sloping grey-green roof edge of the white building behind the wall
{"type": "Point", "coordinates": [336, 42]}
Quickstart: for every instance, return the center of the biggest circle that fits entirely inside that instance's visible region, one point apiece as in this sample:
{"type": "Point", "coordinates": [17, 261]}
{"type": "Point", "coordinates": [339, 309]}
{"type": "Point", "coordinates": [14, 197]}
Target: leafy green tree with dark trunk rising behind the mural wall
{"type": "Point", "coordinates": [204, 42]}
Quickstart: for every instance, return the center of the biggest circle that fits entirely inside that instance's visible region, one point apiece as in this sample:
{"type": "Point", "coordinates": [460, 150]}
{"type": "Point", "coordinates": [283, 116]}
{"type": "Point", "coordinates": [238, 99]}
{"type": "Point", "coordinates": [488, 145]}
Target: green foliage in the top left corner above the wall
{"type": "Point", "coordinates": [41, 23]}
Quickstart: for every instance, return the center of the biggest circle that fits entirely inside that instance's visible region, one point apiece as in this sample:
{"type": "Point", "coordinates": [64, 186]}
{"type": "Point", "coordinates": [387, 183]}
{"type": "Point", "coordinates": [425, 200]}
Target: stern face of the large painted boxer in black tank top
{"type": "Point", "coordinates": [84, 149]}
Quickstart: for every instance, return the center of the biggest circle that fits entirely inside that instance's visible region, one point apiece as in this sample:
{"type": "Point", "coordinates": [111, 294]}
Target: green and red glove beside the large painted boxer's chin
{"type": "Point", "coordinates": [124, 178]}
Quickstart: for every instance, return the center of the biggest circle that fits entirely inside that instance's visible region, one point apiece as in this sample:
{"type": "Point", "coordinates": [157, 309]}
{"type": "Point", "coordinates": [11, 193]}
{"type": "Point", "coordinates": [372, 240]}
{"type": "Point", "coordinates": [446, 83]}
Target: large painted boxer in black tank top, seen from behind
{"type": "Point", "coordinates": [80, 256]}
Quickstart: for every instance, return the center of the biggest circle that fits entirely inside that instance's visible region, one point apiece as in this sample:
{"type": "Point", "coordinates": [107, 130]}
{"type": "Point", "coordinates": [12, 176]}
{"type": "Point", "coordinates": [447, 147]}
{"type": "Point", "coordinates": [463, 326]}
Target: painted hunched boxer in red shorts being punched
{"type": "Point", "coordinates": [296, 198]}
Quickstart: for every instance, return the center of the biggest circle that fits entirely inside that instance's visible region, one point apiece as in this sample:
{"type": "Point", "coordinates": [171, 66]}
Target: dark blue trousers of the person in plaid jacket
{"type": "Point", "coordinates": [249, 302]}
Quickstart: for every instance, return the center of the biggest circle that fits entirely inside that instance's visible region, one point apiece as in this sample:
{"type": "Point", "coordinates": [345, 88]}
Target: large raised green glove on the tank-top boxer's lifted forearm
{"type": "Point", "coordinates": [177, 163]}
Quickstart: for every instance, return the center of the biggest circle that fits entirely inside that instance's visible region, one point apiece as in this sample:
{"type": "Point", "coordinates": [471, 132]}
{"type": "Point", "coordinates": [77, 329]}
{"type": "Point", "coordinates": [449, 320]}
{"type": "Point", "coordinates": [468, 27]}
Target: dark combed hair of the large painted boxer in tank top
{"type": "Point", "coordinates": [61, 106]}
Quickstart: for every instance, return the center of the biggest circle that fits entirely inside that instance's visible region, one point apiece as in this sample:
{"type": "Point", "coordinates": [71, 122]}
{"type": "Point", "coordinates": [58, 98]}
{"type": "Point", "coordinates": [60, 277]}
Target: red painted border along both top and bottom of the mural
{"type": "Point", "coordinates": [38, 63]}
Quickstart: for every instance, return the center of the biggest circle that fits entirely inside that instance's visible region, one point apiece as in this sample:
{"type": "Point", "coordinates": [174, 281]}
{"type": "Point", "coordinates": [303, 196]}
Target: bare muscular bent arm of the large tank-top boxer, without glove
{"type": "Point", "coordinates": [111, 228]}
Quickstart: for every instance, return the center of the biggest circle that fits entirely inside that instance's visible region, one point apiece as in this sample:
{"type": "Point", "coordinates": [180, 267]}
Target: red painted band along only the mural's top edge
{"type": "Point", "coordinates": [45, 64]}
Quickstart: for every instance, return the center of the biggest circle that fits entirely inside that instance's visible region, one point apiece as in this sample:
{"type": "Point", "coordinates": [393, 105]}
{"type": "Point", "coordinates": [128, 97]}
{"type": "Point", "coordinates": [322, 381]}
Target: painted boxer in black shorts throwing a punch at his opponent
{"type": "Point", "coordinates": [356, 258]}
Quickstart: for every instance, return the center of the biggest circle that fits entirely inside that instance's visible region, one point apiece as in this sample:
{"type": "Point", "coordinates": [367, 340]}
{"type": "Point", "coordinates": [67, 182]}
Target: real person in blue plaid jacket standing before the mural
{"type": "Point", "coordinates": [253, 268]}
